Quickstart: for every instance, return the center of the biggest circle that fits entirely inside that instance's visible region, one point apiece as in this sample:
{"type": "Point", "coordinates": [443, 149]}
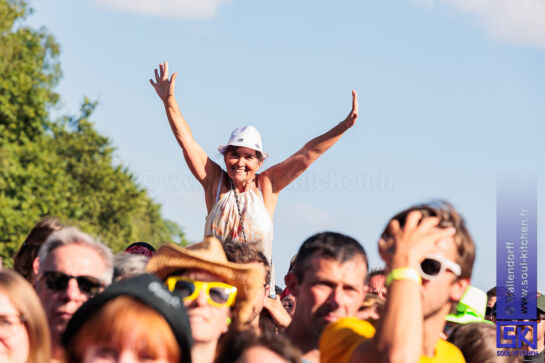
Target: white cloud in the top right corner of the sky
{"type": "Point", "coordinates": [516, 21]}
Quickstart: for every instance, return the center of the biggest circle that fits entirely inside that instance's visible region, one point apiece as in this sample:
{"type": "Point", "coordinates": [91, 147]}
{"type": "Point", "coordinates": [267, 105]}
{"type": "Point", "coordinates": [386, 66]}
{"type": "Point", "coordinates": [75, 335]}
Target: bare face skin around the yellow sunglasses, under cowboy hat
{"type": "Point", "coordinates": [208, 323]}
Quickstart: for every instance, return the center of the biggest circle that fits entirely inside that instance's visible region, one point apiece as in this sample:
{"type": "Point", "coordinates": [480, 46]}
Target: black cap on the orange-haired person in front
{"type": "Point", "coordinates": [150, 291]}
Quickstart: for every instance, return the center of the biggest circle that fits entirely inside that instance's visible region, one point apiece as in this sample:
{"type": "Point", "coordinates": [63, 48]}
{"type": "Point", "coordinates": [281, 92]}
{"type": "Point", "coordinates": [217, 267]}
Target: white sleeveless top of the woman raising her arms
{"type": "Point", "coordinates": [223, 221]}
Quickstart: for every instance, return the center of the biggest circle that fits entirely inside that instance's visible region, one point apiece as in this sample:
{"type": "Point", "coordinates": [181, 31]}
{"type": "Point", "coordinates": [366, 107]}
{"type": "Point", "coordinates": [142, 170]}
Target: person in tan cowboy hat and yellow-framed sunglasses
{"type": "Point", "coordinates": [217, 293]}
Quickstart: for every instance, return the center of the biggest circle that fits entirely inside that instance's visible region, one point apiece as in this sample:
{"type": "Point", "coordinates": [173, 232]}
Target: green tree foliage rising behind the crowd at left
{"type": "Point", "coordinates": [63, 167]}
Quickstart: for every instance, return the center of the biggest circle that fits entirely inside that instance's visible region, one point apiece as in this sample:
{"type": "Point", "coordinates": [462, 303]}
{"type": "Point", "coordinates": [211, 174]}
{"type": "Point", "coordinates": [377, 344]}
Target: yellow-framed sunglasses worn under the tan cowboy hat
{"type": "Point", "coordinates": [219, 294]}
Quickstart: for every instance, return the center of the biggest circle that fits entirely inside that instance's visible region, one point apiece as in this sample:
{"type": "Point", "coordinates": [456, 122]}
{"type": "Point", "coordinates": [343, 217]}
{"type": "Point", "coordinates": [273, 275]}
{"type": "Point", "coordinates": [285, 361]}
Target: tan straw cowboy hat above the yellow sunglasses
{"type": "Point", "coordinates": [209, 256]}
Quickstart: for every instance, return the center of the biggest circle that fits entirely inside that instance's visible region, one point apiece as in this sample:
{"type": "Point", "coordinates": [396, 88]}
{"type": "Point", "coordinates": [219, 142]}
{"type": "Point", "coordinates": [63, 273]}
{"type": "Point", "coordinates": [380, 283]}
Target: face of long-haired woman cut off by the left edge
{"type": "Point", "coordinates": [14, 345]}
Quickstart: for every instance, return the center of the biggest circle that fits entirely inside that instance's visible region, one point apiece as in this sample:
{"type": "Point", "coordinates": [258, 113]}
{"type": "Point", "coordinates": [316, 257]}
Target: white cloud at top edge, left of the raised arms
{"type": "Point", "coordinates": [186, 9]}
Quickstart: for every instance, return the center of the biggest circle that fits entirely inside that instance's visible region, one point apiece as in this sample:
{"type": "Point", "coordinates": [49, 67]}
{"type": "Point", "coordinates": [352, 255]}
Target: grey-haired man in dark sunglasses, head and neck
{"type": "Point", "coordinates": [73, 268]}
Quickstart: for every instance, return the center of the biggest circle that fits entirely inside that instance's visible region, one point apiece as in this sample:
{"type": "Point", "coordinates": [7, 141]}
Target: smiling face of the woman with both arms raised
{"type": "Point", "coordinates": [242, 163]}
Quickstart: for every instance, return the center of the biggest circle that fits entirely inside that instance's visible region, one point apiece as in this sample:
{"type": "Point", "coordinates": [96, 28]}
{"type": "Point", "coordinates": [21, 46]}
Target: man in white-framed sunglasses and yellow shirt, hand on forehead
{"type": "Point", "coordinates": [429, 257]}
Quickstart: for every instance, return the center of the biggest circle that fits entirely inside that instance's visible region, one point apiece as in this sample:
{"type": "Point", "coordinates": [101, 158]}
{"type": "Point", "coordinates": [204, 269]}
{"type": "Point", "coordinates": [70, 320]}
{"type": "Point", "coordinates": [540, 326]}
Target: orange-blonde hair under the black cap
{"type": "Point", "coordinates": [122, 319]}
